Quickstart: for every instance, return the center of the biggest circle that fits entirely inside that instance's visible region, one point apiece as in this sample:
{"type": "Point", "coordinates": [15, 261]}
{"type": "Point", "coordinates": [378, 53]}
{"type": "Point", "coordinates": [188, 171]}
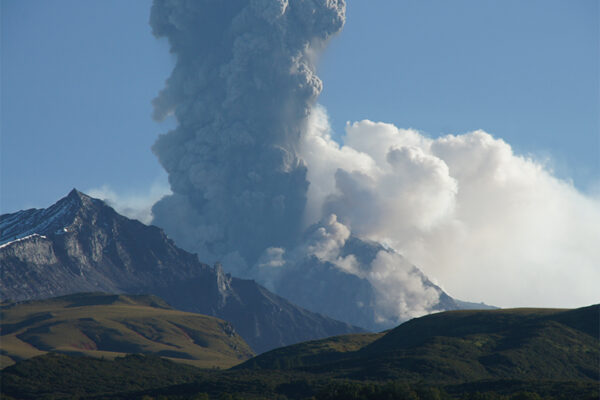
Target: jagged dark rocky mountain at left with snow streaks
{"type": "Point", "coordinates": [80, 244]}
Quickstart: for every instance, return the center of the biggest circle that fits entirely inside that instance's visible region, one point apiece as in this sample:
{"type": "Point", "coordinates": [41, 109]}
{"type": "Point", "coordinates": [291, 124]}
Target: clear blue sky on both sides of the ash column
{"type": "Point", "coordinates": [78, 77]}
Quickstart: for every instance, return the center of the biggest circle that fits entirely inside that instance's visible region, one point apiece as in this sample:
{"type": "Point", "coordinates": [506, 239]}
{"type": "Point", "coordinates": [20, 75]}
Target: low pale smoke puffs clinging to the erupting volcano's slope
{"type": "Point", "coordinates": [400, 290]}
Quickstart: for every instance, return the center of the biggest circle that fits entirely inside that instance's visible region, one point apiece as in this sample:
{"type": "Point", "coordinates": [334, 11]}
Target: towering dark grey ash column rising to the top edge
{"type": "Point", "coordinates": [241, 92]}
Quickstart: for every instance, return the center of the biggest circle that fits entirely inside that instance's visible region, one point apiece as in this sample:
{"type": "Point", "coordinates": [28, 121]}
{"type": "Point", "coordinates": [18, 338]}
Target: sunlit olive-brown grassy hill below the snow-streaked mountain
{"type": "Point", "coordinates": [103, 325]}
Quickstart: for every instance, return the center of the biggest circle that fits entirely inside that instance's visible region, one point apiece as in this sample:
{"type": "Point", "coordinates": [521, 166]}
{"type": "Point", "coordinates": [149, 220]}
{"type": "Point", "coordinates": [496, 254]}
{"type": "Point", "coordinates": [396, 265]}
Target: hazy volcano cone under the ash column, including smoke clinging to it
{"type": "Point", "coordinates": [354, 280]}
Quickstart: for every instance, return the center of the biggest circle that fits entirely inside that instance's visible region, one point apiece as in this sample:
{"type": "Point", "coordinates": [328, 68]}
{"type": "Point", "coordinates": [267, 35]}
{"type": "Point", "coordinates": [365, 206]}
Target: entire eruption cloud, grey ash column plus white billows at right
{"type": "Point", "coordinates": [258, 182]}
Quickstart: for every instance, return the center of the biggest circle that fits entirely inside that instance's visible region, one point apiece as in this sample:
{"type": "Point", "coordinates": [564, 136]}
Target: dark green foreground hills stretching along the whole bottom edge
{"type": "Point", "coordinates": [521, 354]}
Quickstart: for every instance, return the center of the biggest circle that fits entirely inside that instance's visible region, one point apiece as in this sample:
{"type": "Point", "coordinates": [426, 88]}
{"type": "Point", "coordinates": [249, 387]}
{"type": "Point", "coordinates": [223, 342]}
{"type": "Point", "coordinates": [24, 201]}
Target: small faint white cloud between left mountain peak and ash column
{"type": "Point", "coordinates": [135, 205]}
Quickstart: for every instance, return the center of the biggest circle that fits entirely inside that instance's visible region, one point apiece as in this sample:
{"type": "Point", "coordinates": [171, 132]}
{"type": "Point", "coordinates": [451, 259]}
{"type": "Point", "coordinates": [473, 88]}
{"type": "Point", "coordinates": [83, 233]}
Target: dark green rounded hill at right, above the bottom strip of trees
{"type": "Point", "coordinates": [464, 346]}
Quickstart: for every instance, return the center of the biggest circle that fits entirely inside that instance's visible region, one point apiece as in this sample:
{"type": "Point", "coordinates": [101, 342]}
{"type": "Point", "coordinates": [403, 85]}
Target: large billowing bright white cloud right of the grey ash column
{"type": "Point", "coordinates": [484, 222]}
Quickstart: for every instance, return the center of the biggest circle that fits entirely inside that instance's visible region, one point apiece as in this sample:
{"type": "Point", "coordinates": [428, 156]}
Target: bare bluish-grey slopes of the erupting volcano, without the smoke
{"type": "Point", "coordinates": [351, 296]}
